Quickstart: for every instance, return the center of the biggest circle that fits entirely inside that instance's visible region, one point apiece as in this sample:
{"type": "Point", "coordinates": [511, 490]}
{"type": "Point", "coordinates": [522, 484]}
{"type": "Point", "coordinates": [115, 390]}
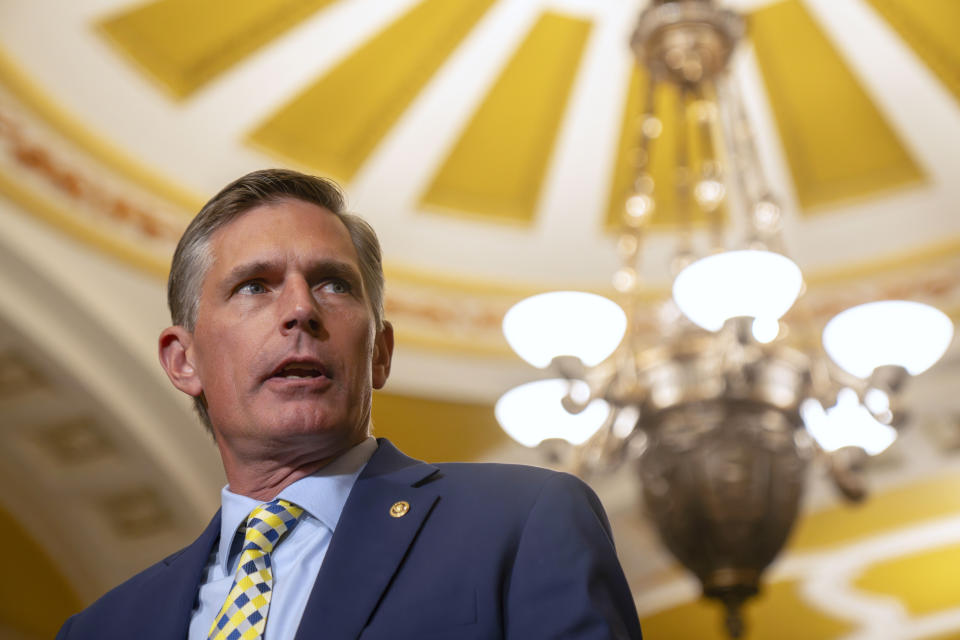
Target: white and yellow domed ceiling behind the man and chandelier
{"type": "Point", "coordinates": [489, 143]}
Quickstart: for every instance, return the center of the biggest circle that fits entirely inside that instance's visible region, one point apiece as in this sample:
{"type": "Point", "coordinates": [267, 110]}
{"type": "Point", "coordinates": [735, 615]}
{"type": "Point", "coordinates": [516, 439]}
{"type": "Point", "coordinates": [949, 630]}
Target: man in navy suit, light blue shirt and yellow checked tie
{"type": "Point", "coordinates": [276, 297]}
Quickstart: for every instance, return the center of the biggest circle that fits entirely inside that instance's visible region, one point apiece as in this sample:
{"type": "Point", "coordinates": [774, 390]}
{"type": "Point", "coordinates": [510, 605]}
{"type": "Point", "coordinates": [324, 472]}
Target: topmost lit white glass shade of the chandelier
{"type": "Point", "coordinates": [757, 284]}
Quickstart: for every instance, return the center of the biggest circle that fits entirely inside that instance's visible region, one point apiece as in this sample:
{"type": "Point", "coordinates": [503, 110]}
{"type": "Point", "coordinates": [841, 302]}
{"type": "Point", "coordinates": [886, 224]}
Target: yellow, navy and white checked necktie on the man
{"type": "Point", "coordinates": [244, 614]}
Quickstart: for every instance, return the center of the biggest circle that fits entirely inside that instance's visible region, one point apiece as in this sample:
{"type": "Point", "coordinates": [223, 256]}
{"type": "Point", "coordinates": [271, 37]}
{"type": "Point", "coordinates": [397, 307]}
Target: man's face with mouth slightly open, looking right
{"type": "Point", "coordinates": [285, 346]}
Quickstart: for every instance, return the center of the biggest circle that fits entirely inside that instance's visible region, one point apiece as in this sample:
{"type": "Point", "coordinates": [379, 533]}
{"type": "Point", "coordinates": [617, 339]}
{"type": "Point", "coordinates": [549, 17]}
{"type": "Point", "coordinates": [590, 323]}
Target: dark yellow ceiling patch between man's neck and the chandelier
{"type": "Point", "coordinates": [437, 430]}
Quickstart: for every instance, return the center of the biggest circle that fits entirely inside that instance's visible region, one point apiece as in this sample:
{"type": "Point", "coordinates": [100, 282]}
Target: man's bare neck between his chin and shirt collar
{"type": "Point", "coordinates": [263, 477]}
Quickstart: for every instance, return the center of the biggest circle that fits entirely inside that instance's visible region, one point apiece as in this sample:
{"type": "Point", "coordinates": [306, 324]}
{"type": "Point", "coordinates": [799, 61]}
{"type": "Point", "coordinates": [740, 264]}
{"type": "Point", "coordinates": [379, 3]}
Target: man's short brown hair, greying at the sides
{"type": "Point", "coordinates": [192, 258]}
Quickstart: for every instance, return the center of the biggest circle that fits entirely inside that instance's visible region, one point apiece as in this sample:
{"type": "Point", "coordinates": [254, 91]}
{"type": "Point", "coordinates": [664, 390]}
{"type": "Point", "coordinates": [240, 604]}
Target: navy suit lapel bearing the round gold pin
{"type": "Point", "coordinates": [369, 544]}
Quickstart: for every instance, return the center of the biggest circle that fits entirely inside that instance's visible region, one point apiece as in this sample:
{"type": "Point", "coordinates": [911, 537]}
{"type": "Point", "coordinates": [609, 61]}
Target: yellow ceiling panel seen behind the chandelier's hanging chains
{"type": "Point", "coordinates": [662, 151]}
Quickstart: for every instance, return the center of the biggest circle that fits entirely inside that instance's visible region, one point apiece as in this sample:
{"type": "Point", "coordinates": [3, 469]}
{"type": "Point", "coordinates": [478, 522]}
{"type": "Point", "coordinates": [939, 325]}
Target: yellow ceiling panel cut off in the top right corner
{"type": "Point", "coordinates": [930, 27]}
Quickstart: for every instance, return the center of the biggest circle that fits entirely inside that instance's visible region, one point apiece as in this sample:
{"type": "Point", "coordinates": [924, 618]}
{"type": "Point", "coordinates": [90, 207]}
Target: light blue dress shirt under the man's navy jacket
{"type": "Point", "coordinates": [296, 560]}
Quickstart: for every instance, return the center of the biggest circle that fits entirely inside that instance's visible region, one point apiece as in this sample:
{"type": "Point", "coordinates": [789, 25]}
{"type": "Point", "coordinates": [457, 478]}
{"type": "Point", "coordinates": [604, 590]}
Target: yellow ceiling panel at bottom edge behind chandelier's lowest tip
{"type": "Point", "coordinates": [778, 613]}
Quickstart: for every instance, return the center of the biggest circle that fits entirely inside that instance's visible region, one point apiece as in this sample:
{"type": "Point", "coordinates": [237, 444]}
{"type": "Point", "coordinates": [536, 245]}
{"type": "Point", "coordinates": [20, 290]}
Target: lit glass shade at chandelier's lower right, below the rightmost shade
{"type": "Point", "coordinates": [848, 423]}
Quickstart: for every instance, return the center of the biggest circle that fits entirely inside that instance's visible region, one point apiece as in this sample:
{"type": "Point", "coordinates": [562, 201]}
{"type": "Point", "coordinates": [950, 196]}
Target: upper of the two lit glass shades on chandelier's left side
{"type": "Point", "coordinates": [564, 323]}
